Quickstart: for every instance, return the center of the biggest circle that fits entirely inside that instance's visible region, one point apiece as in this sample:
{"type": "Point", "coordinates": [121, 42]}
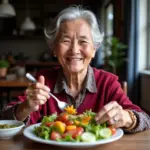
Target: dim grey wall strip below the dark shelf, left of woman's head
{"type": "Point", "coordinates": [31, 48]}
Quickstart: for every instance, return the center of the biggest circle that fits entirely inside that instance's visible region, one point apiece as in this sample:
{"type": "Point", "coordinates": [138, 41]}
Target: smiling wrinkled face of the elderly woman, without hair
{"type": "Point", "coordinates": [74, 46]}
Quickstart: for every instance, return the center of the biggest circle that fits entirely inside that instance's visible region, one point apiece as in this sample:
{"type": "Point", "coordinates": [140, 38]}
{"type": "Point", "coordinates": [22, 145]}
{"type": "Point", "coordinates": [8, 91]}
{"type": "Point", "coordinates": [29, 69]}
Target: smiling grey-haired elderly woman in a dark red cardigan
{"type": "Point", "coordinates": [74, 37]}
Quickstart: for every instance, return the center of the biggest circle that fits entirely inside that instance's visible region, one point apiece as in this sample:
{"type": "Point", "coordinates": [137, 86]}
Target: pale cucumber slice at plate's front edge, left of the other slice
{"type": "Point", "coordinates": [88, 137]}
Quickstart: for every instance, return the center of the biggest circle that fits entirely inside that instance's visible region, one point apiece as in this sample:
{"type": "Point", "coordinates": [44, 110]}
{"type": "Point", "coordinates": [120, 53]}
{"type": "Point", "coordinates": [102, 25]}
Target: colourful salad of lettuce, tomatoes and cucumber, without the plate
{"type": "Point", "coordinates": [68, 126]}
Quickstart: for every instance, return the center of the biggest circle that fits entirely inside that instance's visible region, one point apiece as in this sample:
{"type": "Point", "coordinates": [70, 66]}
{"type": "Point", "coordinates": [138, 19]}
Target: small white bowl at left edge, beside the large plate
{"type": "Point", "coordinates": [10, 132]}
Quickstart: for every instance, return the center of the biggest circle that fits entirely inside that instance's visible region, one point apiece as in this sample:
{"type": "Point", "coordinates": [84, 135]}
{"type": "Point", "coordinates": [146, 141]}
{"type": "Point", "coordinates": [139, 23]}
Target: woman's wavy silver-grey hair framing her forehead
{"type": "Point", "coordinates": [72, 13]}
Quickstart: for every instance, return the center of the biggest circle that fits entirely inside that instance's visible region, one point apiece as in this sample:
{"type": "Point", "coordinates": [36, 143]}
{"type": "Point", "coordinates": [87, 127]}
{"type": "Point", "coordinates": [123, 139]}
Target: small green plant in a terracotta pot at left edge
{"type": "Point", "coordinates": [4, 64]}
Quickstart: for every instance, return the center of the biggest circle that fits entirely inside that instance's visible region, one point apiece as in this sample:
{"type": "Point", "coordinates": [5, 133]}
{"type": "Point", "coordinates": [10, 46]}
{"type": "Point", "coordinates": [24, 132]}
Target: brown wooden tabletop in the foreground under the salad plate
{"type": "Point", "coordinates": [138, 141]}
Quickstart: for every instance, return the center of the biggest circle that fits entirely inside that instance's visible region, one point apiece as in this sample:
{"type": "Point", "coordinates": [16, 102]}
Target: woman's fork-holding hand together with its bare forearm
{"type": "Point", "coordinates": [36, 95]}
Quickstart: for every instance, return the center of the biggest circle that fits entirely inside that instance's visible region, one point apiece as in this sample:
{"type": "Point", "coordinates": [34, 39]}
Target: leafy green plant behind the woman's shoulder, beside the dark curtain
{"type": "Point", "coordinates": [114, 55]}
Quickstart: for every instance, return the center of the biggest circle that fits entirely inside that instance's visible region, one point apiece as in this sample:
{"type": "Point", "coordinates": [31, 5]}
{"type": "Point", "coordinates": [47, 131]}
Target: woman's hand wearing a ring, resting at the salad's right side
{"type": "Point", "coordinates": [114, 114]}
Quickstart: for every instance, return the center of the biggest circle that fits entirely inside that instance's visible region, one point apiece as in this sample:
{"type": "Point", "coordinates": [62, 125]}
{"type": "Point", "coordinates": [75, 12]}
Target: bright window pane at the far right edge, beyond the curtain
{"type": "Point", "coordinates": [144, 36]}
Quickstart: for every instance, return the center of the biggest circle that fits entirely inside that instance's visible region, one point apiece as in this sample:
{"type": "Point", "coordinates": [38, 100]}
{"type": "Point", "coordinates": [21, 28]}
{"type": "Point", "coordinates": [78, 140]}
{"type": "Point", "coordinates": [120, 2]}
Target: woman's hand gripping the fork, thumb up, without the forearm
{"type": "Point", "coordinates": [37, 94]}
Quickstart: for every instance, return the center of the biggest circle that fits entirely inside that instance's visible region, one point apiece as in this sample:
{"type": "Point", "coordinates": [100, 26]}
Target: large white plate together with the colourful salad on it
{"type": "Point", "coordinates": [69, 129]}
